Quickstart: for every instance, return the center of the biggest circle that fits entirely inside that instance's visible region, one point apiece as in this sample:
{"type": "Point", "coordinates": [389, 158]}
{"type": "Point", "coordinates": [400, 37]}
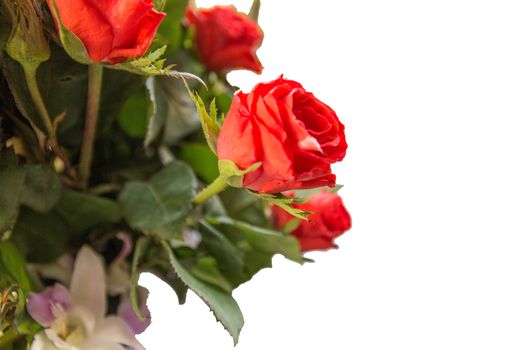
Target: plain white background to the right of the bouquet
{"type": "Point", "coordinates": [433, 97]}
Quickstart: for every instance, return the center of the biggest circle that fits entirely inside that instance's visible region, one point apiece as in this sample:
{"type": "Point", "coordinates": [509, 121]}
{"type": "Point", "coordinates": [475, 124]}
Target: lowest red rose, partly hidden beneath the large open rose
{"type": "Point", "coordinates": [329, 220]}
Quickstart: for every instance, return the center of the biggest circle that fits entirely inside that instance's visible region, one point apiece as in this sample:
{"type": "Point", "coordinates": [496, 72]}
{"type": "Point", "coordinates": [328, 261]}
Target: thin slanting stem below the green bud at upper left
{"type": "Point", "coordinates": [32, 85]}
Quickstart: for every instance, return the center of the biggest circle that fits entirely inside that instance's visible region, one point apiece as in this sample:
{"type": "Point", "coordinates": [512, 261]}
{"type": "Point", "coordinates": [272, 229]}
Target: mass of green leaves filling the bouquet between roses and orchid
{"type": "Point", "coordinates": [150, 159]}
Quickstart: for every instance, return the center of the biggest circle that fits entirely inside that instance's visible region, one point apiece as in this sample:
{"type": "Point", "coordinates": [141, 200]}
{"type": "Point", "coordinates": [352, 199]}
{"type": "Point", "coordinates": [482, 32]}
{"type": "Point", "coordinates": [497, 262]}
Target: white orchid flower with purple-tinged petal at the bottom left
{"type": "Point", "coordinates": [76, 319]}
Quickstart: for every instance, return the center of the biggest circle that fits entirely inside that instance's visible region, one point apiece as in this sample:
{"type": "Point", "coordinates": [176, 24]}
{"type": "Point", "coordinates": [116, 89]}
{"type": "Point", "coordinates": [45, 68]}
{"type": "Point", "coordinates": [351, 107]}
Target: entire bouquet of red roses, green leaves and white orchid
{"type": "Point", "coordinates": [124, 149]}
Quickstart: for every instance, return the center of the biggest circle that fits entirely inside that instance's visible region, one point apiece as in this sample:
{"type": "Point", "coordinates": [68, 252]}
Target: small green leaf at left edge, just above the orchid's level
{"type": "Point", "coordinates": [12, 268]}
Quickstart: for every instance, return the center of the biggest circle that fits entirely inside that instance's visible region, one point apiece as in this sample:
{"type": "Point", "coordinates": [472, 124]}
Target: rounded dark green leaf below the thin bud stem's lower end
{"type": "Point", "coordinates": [42, 188]}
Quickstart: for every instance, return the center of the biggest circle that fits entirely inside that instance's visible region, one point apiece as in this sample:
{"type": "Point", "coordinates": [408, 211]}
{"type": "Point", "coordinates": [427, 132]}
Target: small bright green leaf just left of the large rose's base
{"type": "Point", "coordinates": [201, 159]}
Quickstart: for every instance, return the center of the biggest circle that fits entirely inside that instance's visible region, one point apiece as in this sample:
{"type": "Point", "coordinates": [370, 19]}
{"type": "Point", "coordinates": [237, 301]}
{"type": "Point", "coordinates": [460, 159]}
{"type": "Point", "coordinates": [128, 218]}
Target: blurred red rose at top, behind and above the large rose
{"type": "Point", "coordinates": [226, 39]}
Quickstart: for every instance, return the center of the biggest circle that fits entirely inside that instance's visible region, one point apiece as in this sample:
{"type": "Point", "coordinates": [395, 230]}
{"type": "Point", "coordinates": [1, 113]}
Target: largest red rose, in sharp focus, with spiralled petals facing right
{"type": "Point", "coordinates": [294, 135]}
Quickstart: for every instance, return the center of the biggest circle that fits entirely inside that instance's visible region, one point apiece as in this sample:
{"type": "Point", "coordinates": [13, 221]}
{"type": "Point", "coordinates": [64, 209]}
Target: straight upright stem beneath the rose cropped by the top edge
{"type": "Point", "coordinates": [93, 101]}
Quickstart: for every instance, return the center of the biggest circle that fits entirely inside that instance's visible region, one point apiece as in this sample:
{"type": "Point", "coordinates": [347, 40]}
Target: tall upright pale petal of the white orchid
{"type": "Point", "coordinates": [88, 286]}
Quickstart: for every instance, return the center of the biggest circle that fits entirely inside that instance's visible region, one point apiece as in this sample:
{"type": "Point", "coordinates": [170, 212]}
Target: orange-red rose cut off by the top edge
{"type": "Point", "coordinates": [111, 30]}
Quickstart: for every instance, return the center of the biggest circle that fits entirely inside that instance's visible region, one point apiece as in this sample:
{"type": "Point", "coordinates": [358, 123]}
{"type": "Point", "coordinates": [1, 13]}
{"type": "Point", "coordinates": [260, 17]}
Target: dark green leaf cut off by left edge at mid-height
{"type": "Point", "coordinates": [11, 181]}
